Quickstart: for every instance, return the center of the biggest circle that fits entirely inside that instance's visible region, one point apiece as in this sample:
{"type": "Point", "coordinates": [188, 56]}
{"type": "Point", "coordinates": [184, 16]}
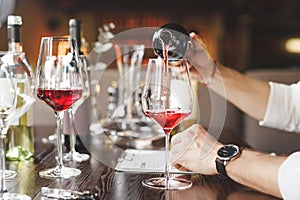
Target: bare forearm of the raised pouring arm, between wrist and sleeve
{"type": "Point", "coordinates": [249, 95]}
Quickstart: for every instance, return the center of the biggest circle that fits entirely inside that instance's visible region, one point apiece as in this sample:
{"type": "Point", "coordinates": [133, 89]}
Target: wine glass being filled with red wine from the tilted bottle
{"type": "Point", "coordinates": [168, 99]}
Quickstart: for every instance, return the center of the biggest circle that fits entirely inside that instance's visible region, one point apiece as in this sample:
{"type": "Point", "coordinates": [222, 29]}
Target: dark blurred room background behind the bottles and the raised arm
{"type": "Point", "coordinates": [260, 38]}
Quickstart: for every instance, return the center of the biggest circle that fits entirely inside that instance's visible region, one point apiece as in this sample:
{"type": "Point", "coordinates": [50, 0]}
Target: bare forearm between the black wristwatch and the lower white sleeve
{"type": "Point", "coordinates": [256, 170]}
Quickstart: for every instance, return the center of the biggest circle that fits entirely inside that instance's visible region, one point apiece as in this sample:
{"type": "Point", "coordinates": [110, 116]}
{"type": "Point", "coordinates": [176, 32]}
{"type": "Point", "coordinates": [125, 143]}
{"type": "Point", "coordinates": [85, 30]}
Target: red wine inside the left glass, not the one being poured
{"type": "Point", "coordinates": [60, 99]}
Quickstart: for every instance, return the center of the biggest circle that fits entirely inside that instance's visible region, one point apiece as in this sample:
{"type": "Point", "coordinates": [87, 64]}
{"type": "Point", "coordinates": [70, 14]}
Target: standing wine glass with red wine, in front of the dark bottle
{"type": "Point", "coordinates": [59, 85]}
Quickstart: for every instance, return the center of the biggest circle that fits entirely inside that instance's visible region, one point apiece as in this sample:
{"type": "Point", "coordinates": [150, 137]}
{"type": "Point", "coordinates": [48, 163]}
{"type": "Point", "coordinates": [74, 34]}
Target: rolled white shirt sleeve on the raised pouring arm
{"type": "Point", "coordinates": [283, 109]}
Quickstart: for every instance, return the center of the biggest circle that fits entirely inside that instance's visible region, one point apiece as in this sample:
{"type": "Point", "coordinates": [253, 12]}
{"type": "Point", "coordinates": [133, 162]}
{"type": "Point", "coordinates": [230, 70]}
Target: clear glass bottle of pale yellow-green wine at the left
{"type": "Point", "coordinates": [21, 133]}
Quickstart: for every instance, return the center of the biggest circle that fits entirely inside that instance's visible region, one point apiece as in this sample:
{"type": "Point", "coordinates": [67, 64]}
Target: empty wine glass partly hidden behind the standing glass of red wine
{"type": "Point", "coordinates": [73, 155]}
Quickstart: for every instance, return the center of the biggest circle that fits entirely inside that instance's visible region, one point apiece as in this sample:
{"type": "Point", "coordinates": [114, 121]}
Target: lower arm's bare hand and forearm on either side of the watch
{"type": "Point", "coordinates": [196, 150]}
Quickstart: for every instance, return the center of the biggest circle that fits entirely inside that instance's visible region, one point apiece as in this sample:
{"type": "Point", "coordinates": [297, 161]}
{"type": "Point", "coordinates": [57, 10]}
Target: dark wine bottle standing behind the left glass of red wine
{"type": "Point", "coordinates": [82, 116]}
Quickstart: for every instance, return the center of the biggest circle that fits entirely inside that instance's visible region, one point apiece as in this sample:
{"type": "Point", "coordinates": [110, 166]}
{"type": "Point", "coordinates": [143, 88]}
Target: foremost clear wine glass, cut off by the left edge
{"type": "Point", "coordinates": [16, 83]}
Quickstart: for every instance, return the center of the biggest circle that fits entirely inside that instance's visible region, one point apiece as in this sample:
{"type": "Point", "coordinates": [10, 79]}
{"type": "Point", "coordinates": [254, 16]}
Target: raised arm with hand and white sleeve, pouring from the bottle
{"type": "Point", "coordinates": [273, 104]}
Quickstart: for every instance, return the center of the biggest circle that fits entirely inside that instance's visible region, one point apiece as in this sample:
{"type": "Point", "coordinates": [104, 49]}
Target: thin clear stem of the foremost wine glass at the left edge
{"type": "Point", "coordinates": [3, 163]}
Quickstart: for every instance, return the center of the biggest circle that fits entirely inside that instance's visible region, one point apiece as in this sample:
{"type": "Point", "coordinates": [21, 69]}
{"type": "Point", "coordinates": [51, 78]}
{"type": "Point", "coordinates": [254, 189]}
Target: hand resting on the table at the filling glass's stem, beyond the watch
{"type": "Point", "coordinates": [195, 149]}
